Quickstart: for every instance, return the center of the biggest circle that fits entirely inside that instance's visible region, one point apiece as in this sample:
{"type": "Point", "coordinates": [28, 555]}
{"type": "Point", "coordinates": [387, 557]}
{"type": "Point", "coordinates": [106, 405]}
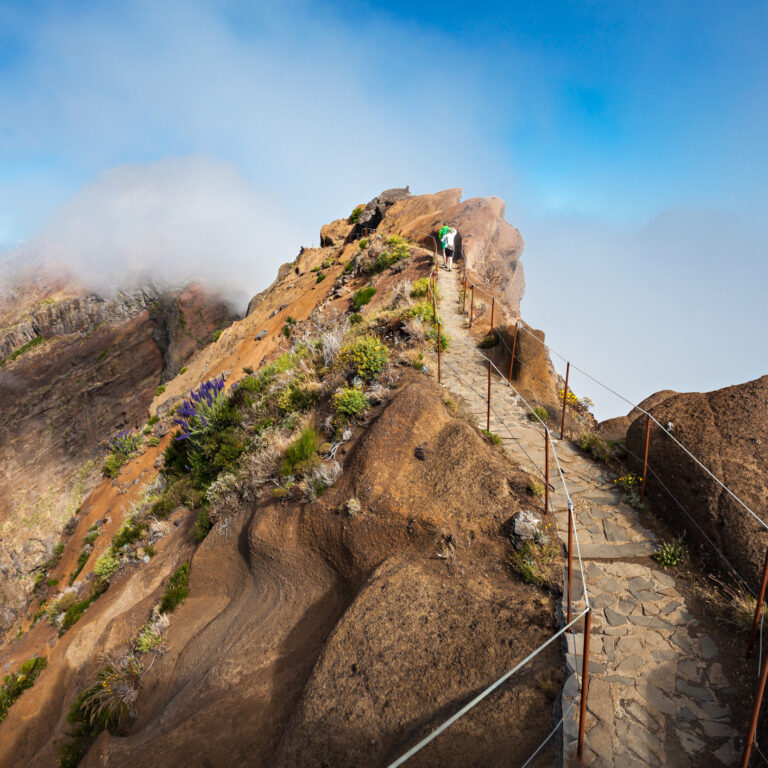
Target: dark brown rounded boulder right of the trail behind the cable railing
{"type": "Point", "coordinates": [726, 429]}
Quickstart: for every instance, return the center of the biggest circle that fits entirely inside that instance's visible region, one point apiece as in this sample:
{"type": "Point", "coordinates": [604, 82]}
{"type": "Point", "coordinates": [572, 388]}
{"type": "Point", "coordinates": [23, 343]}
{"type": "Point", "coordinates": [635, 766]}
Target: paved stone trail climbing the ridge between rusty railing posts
{"type": "Point", "coordinates": [658, 696]}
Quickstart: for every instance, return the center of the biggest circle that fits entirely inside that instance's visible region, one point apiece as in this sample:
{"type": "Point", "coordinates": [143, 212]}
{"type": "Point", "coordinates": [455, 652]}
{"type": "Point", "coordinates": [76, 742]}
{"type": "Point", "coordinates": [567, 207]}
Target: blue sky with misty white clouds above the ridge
{"type": "Point", "coordinates": [628, 140]}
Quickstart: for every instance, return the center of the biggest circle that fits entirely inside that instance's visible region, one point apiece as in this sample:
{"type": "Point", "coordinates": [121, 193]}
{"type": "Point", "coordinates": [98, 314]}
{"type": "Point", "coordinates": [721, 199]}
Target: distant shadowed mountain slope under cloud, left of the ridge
{"type": "Point", "coordinates": [94, 372]}
